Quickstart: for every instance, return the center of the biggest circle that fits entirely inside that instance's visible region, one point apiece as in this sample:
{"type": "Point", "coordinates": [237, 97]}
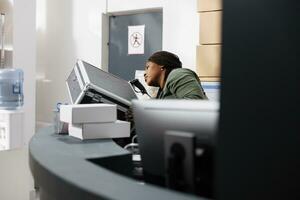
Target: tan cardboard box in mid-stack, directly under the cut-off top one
{"type": "Point", "coordinates": [211, 27]}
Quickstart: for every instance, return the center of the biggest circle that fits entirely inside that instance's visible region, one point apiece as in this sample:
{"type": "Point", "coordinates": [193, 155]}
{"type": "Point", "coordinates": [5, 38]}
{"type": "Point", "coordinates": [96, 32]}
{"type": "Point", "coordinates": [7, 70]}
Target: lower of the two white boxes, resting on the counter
{"type": "Point", "coordinates": [117, 129]}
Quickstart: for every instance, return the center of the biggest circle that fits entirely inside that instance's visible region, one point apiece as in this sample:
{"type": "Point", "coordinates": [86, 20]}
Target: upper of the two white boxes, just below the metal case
{"type": "Point", "coordinates": [88, 113]}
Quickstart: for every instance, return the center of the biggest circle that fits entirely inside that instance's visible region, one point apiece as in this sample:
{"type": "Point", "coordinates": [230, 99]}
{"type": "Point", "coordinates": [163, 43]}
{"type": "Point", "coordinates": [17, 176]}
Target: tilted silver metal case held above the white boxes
{"type": "Point", "coordinates": [89, 84]}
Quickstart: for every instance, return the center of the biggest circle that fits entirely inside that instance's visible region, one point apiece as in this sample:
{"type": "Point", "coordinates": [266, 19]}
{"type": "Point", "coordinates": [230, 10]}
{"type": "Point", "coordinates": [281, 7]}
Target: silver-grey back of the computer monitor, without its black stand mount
{"type": "Point", "coordinates": [154, 117]}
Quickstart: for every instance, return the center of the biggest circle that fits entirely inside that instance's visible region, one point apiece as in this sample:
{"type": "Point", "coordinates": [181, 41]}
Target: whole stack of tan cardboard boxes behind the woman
{"type": "Point", "coordinates": [209, 51]}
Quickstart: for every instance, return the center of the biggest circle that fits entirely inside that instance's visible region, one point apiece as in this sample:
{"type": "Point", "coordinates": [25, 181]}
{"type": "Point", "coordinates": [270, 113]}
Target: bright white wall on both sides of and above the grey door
{"type": "Point", "coordinates": [71, 29]}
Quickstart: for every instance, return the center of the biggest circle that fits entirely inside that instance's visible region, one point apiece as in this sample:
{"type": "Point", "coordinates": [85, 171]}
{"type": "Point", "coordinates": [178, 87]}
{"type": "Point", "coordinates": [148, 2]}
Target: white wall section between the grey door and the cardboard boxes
{"type": "Point", "coordinates": [181, 30]}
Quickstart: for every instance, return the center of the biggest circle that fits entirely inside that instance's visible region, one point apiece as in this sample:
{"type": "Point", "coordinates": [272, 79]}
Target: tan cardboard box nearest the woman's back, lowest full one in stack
{"type": "Point", "coordinates": [208, 61]}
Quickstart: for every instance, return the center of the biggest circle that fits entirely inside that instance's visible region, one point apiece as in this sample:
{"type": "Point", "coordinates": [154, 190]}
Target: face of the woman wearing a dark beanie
{"type": "Point", "coordinates": [152, 74]}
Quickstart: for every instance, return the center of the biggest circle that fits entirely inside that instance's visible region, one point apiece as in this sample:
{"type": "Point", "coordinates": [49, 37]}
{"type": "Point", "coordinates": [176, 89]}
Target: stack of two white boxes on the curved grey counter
{"type": "Point", "coordinates": [92, 121]}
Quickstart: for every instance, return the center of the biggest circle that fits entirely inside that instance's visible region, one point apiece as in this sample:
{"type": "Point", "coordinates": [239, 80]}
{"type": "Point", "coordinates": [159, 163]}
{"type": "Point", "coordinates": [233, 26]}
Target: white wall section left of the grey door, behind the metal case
{"type": "Point", "coordinates": [66, 30]}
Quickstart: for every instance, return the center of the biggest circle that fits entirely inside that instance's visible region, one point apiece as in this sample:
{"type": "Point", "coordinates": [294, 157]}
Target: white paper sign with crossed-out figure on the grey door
{"type": "Point", "coordinates": [136, 38]}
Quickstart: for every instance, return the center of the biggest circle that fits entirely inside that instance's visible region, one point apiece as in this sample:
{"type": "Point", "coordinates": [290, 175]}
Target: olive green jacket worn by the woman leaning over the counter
{"type": "Point", "coordinates": [182, 83]}
